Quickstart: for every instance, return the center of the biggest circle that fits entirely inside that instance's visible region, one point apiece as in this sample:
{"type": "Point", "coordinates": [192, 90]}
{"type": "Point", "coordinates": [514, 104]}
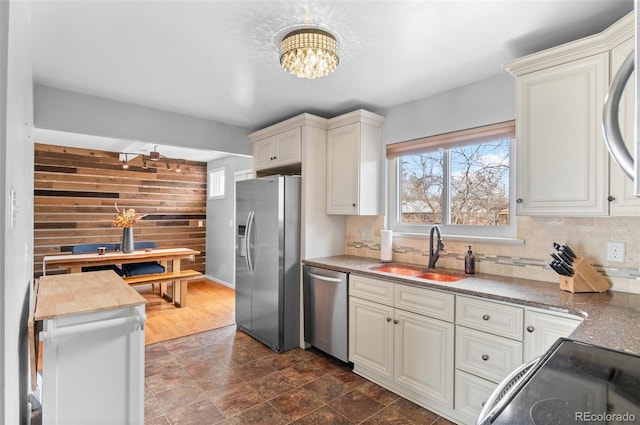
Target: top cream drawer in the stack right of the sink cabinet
{"type": "Point", "coordinates": [488, 316]}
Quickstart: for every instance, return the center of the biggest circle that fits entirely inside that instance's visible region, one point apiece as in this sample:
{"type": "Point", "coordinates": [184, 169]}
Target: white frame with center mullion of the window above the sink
{"type": "Point", "coordinates": [455, 231]}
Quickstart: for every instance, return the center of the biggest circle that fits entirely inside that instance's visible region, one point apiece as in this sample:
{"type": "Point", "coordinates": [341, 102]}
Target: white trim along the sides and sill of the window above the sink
{"type": "Point", "coordinates": [491, 234]}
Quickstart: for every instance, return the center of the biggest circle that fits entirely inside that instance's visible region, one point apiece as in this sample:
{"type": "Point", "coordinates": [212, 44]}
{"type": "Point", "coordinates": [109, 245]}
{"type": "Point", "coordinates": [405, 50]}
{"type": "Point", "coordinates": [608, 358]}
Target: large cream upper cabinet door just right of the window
{"type": "Point", "coordinates": [562, 161]}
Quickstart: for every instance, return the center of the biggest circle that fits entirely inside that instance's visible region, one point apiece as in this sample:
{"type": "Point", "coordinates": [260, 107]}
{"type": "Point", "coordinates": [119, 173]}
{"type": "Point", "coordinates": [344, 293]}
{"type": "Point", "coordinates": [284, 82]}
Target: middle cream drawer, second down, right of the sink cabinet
{"type": "Point", "coordinates": [488, 356]}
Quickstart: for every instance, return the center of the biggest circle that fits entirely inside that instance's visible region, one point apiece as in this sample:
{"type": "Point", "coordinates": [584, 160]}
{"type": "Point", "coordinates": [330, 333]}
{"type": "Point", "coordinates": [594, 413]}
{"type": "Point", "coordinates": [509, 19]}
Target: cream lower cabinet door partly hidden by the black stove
{"type": "Point", "coordinates": [542, 330]}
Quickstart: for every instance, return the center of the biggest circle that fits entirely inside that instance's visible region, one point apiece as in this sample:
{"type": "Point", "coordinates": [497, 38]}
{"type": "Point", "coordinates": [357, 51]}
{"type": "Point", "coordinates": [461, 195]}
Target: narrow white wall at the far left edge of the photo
{"type": "Point", "coordinates": [16, 233]}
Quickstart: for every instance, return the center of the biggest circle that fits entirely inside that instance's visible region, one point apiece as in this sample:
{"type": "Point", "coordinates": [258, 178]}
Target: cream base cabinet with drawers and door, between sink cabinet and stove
{"type": "Point", "coordinates": [492, 340]}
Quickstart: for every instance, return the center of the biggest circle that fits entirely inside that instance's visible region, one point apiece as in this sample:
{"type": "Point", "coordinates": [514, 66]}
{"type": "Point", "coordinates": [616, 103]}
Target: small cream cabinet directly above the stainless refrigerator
{"type": "Point", "coordinates": [278, 150]}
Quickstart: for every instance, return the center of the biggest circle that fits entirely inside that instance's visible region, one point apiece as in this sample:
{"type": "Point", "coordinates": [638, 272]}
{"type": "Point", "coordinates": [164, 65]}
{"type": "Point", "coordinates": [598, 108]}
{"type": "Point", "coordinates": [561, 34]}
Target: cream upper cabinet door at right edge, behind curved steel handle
{"type": "Point", "coordinates": [624, 202]}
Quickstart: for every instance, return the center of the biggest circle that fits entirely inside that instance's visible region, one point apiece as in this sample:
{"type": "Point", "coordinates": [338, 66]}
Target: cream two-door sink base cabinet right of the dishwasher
{"type": "Point", "coordinates": [408, 350]}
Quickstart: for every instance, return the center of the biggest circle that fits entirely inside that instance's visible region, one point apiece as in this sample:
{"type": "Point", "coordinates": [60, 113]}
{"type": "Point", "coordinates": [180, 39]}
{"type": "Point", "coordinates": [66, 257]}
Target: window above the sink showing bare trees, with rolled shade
{"type": "Point", "coordinates": [460, 181]}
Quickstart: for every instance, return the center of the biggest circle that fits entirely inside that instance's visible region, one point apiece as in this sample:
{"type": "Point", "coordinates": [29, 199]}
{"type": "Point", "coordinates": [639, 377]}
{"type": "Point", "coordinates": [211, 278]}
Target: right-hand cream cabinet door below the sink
{"type": "Point", "coordinates": [424, 356]}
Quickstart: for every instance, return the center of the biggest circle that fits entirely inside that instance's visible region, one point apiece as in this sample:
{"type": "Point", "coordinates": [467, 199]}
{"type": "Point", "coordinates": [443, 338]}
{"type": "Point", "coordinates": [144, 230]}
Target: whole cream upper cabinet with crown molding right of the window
{"type": "Point", "coordinates": [562, 162]}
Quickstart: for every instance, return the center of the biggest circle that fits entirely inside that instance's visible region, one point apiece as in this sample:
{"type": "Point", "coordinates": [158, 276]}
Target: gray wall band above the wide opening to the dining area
{"type": "Point", "coordinates": [64, 110]}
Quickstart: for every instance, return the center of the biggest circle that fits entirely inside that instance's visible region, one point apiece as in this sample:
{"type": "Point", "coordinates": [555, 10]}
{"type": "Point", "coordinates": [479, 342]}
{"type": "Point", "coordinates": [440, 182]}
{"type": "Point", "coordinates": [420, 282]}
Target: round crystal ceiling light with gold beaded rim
{"type": "Point", "coordinates": [309, 53]}
